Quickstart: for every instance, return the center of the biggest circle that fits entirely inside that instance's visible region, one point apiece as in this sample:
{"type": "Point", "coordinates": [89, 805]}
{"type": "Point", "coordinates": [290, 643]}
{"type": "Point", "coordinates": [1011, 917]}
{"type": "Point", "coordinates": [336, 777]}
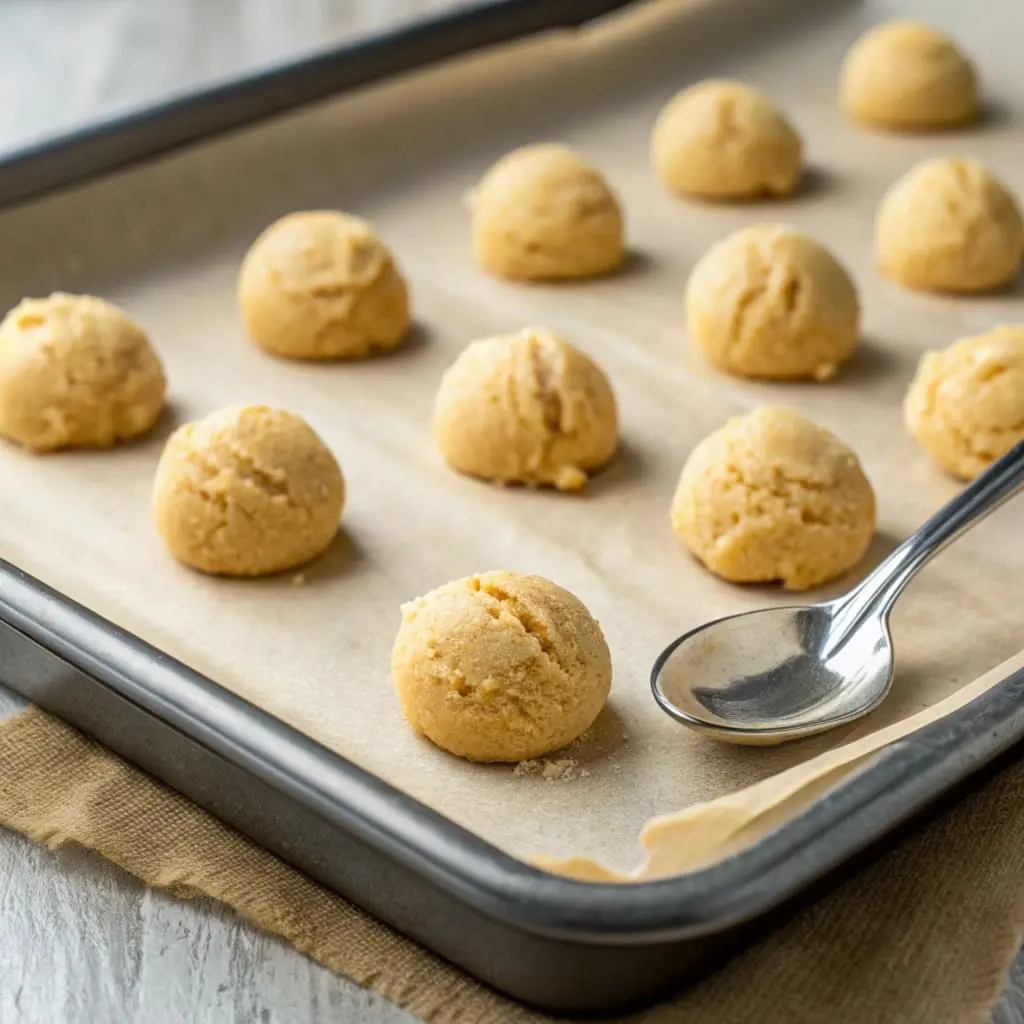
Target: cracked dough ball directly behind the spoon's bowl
{"type": "Point", "coordinates": [774, 497]}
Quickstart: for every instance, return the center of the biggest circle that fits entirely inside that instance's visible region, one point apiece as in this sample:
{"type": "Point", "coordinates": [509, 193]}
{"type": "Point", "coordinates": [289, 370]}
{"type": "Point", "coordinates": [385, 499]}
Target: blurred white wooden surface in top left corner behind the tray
{"type": "Point", "coordinates": [64, 63]}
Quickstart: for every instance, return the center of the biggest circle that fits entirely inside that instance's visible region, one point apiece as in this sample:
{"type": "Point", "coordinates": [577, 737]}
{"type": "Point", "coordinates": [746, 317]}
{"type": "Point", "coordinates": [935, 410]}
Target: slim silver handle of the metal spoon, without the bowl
{"type": "Point", "coordinates": [878, 593]}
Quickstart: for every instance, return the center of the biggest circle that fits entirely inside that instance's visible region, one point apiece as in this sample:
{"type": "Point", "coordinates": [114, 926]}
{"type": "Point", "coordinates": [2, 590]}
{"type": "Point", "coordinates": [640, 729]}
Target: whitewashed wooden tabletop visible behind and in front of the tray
{"type": "Point", "coordinates": [79, 941]}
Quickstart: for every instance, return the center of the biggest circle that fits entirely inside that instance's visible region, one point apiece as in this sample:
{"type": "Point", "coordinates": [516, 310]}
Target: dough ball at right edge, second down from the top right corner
{"type": "Point", "coordinates": [949, 226]}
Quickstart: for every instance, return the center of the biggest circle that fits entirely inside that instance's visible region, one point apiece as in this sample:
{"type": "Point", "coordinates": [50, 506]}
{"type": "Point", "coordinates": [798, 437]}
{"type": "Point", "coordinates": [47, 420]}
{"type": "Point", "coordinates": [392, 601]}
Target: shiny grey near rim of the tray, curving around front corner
{"type": "Point", "coordinates": [893, 787]}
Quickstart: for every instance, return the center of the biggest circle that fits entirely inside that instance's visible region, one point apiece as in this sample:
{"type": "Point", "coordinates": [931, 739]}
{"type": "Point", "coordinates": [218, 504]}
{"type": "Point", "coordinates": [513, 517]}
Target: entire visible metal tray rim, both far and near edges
{"type": "Point", "coordinates": [893, 787]}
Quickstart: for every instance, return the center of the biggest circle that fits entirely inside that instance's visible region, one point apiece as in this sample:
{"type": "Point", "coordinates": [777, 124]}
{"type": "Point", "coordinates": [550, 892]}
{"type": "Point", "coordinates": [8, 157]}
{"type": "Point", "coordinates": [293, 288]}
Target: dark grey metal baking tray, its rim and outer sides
{"type": "Point", "coordinates": [554, 943]}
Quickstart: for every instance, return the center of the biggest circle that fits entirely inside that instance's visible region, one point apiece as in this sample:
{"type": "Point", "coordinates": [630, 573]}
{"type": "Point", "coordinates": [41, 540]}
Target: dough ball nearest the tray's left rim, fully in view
{"type": "Point", "coordinates": [247, 492]}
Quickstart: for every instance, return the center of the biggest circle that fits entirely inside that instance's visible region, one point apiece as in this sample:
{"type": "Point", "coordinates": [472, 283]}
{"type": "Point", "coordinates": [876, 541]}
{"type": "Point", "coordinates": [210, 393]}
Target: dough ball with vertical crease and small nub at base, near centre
{"type": "Point", "coordinates": [526, 408]}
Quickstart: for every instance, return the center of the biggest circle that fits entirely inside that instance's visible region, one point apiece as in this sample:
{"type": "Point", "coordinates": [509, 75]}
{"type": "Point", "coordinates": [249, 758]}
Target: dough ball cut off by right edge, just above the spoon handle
{"type": "Point", "coordinates": [966, 405]}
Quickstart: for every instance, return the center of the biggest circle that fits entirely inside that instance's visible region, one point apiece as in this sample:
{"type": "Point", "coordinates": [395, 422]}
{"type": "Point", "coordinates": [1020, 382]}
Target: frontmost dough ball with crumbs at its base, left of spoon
{"type": "Point", "coordinates": [501, 667]}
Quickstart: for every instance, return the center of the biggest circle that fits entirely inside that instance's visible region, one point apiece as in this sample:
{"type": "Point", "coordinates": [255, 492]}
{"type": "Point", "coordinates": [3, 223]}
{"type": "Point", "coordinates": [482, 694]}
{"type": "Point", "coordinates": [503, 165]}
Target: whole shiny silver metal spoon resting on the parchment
{"type": "Point", "coordinates": [771, 676]}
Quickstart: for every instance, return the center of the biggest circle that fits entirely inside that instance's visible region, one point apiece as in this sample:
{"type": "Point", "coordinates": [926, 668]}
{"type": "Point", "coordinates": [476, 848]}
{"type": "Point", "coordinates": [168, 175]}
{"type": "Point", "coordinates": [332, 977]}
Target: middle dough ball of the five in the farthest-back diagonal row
{"type": "Point", "coordinates": [543, 214]}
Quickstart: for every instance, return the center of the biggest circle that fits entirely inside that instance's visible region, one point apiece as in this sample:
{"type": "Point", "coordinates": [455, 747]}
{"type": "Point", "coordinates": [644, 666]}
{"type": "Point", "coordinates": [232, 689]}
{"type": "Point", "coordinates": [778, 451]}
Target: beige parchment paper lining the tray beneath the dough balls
{"type": "Point", "coordinates": [165, 242]}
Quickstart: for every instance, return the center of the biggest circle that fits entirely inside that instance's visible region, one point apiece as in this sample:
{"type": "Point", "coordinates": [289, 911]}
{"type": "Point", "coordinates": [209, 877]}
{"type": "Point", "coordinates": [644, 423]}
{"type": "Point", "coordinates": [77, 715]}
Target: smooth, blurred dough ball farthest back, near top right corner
{"type": "Point", "coordinates": [907, 75]}
